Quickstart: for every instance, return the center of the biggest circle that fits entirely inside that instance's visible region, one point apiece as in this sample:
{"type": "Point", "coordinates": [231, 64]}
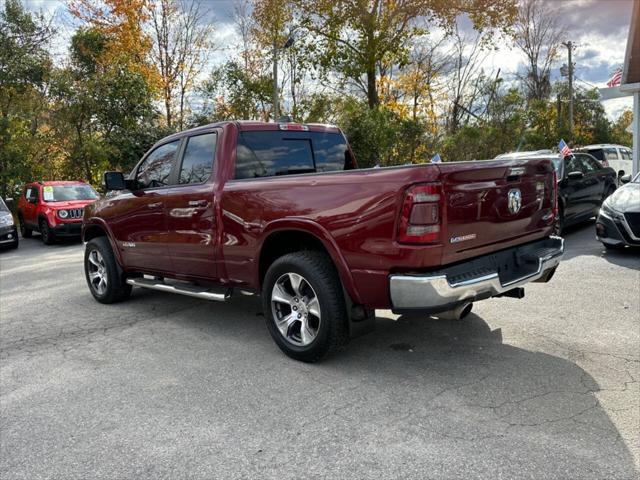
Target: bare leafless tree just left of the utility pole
{"type": "Point", "coordinates": [538, 34]}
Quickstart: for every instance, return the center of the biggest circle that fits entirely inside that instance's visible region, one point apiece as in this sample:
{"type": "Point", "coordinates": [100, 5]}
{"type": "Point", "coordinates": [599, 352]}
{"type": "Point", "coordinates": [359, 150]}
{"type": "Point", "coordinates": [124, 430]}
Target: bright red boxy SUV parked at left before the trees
{"type": "Point", "coordinates": [54, 209]}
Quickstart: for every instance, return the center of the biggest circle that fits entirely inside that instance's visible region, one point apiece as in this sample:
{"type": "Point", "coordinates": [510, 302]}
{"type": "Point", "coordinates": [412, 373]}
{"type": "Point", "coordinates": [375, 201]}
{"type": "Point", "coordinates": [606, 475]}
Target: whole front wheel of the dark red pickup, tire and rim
{"type": "Point", "coordinates": [102, 273]}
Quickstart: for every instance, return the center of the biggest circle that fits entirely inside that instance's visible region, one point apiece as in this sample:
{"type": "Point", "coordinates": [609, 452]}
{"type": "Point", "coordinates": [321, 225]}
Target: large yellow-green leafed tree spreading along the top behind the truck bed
{"type": "Point", "coordinates": [359, 38]}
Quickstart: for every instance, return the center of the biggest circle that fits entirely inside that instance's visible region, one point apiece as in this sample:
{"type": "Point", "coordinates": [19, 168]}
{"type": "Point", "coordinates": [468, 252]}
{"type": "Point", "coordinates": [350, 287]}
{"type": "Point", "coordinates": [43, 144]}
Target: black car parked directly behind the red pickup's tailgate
{"type": "Point", "coordinates": [583, 184]}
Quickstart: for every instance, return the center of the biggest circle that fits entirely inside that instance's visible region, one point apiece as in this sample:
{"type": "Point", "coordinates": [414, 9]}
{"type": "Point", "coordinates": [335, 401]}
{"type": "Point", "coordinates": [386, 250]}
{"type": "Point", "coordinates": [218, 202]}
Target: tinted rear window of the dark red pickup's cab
{"type": "Point", "coordinates": [273, 153]}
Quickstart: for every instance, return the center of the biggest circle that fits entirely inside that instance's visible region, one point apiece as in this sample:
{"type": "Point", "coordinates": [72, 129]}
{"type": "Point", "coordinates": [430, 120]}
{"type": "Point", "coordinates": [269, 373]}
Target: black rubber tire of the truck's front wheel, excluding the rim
{"type": "Point", "coordinates": [117, 289]}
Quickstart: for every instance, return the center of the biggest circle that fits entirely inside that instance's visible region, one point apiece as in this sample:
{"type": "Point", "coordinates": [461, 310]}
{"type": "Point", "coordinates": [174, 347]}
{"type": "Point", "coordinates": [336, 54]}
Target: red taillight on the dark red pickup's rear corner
{"type": "Point", "coordinates": [421, 215]}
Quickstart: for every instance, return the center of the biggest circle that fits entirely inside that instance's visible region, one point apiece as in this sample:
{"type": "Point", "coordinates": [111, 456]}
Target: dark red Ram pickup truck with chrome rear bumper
{"type": "Point", "coordinates": [282, 210]}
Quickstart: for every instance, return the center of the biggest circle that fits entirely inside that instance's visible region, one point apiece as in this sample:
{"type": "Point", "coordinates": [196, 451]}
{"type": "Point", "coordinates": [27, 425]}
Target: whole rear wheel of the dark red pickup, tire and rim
{"type": "Point", "coordinates": [304, 306]}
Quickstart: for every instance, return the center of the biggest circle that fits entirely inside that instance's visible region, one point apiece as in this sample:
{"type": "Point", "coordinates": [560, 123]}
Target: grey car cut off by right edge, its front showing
{"type": "Point", "coordinates": [618, 223]}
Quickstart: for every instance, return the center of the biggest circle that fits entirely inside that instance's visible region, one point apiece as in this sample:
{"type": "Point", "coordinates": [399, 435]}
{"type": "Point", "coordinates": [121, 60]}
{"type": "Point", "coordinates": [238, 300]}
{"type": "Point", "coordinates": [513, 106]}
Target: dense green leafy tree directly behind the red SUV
{"type": "Point", "coordinates": [100, 112]}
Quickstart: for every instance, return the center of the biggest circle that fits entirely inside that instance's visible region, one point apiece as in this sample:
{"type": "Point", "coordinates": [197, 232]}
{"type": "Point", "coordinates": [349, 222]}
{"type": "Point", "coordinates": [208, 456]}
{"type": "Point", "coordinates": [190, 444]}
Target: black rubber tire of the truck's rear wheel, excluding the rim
{"type": "Point", "coordinates": [320, 274]}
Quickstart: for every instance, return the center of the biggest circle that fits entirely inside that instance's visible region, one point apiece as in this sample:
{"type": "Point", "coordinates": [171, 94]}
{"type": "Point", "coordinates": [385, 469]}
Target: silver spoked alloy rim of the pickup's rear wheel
{"type": "Point", "coordinates": [296, 309]}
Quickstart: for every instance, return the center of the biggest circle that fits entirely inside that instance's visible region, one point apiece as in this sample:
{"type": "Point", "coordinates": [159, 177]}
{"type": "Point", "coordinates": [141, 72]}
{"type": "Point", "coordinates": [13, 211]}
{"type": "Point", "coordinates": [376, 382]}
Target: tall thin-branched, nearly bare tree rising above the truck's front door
{"type": "Point", "coordinates": [181, 45]}
